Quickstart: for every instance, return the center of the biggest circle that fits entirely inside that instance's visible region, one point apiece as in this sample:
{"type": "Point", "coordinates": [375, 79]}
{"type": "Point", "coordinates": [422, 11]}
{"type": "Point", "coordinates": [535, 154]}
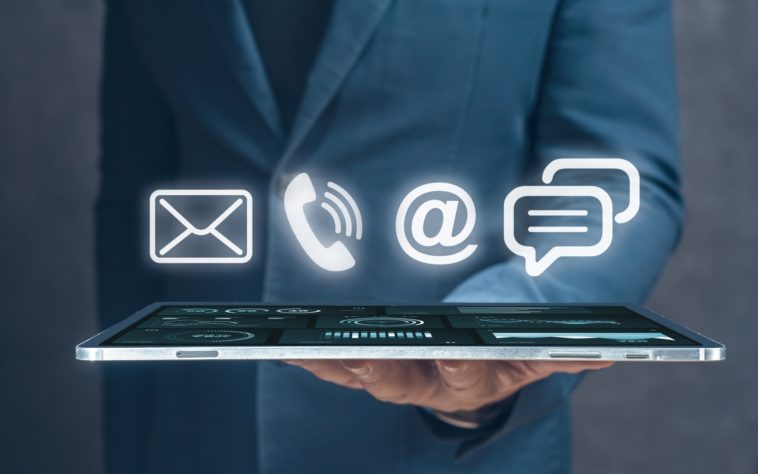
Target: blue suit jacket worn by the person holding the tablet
{"type": "Point", "coordinates": [480, 93]}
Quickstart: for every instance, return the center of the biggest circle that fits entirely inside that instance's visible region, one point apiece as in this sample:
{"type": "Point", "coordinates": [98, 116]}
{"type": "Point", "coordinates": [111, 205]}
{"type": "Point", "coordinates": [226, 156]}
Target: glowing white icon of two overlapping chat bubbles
{"type": "Point", "coordinates": [535, 266]}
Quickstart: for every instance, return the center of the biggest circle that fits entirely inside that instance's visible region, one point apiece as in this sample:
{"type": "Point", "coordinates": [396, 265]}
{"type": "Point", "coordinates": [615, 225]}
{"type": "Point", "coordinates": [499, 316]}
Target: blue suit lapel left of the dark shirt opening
{"type": "Point", "coordinates": [231, 28]}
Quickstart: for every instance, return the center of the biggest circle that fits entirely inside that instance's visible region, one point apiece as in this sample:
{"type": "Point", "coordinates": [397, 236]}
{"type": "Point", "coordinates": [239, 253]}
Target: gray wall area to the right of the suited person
{"type": "Point", "coordinates": [693, 417]}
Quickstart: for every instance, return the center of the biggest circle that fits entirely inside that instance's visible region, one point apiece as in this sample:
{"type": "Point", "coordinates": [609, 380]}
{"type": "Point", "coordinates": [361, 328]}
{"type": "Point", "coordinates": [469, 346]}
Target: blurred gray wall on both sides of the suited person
{"type": "Point", "coordinates": [631, 419]}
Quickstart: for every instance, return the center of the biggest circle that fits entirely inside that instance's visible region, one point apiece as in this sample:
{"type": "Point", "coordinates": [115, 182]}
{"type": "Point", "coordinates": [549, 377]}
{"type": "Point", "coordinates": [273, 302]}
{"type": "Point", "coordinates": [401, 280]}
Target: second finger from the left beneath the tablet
{"type": "Point", "coordinates": [392, 381]}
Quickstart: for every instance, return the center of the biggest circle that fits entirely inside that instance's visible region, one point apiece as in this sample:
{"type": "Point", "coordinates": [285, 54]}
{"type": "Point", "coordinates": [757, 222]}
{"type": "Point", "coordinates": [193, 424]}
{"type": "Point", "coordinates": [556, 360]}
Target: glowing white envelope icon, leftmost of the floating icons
{"type": "Point", "coordinates": [217, 226]}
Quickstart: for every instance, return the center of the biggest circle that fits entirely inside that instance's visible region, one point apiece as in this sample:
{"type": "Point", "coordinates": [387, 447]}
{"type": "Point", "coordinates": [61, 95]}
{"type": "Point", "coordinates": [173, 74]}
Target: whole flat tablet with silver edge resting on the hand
{"type": "Point", "coordinates": [218, 331]}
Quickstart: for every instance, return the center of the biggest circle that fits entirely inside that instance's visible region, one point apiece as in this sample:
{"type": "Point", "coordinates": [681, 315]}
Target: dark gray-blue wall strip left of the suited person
{"type": "Point", "coordinates": [49, 68]}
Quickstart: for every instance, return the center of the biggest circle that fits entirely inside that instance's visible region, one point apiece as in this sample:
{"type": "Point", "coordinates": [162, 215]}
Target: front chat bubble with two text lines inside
{"type": "Point", "coordinates": [536, 266]}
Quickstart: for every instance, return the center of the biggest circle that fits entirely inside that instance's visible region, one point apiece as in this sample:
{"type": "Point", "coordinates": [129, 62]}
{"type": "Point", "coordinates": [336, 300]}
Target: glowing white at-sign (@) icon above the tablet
{"type": "Point", "coordinates": [446, 235]}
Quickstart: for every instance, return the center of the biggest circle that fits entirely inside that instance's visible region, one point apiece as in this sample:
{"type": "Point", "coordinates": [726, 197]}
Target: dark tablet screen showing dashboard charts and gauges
{"type": "Point", "coordinates": [507, 325]}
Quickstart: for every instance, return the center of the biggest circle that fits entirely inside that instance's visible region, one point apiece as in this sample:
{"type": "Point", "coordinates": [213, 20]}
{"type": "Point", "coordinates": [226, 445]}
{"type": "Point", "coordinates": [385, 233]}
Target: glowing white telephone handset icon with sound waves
{"type": "Point", "coordinates": [335, 257]}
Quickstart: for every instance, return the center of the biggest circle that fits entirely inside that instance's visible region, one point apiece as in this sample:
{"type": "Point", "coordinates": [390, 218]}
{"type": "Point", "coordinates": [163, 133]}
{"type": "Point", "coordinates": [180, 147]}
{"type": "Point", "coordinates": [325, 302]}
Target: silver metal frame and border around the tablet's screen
{"type": "Point", "coordinates": [709, 350]}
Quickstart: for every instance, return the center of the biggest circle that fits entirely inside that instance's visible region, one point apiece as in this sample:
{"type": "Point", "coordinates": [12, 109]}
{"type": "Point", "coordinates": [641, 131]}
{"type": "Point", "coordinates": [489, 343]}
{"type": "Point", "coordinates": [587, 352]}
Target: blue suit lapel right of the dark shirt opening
{"type": "Point", "coordinates": [350, 28]}
